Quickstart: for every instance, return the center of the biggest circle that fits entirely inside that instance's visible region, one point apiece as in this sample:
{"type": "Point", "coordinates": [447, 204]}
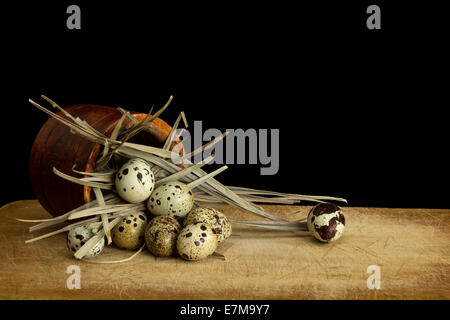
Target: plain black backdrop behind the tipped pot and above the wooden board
{"type": "Point", "coordinates": [361, 112]}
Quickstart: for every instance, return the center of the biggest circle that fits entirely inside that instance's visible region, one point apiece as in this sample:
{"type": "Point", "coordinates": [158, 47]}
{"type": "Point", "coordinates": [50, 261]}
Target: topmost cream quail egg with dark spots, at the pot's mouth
{"type": "Point", "coordinates": [135, 181]}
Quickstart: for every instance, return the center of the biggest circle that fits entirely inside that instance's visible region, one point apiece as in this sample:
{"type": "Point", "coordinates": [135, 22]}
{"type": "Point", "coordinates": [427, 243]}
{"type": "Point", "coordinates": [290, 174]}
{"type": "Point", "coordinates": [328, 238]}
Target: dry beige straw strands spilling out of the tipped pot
{"type": "Point", "coordinates": [103, 213]}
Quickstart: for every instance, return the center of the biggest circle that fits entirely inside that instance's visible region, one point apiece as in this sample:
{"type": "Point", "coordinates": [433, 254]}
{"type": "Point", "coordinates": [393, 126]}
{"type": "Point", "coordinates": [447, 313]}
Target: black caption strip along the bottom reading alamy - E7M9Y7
{"type": "Point", "coordinates": [352, 309]}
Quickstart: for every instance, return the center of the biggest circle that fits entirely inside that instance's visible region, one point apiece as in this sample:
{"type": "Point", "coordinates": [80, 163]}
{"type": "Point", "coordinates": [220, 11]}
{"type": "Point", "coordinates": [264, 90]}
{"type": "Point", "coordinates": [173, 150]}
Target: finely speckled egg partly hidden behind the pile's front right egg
{"type": "Point", "coordinates": [216, 219]}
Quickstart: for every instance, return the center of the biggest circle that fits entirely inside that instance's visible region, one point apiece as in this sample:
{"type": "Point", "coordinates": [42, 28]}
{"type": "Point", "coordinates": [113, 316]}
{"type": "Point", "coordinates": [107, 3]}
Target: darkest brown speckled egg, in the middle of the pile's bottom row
{"type": "Point", "coordinates": [161, 236]}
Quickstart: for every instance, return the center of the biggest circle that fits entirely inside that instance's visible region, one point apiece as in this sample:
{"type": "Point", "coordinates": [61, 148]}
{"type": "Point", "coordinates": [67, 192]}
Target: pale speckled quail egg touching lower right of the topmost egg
{"type": "Point", "coordinates": [173, 199]}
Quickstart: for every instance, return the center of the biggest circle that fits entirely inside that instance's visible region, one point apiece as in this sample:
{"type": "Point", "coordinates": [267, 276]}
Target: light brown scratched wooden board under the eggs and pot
{"type": "Point", "coordinates": [411, 247]}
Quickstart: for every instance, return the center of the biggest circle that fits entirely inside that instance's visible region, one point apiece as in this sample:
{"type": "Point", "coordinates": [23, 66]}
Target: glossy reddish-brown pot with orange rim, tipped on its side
{"type": "Point", "coordinates": [55, 146]}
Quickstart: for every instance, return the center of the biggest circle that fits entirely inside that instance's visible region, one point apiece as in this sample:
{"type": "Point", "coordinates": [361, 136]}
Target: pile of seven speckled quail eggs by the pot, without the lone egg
{"type": "Point", "coordinates": [172, 227]}
